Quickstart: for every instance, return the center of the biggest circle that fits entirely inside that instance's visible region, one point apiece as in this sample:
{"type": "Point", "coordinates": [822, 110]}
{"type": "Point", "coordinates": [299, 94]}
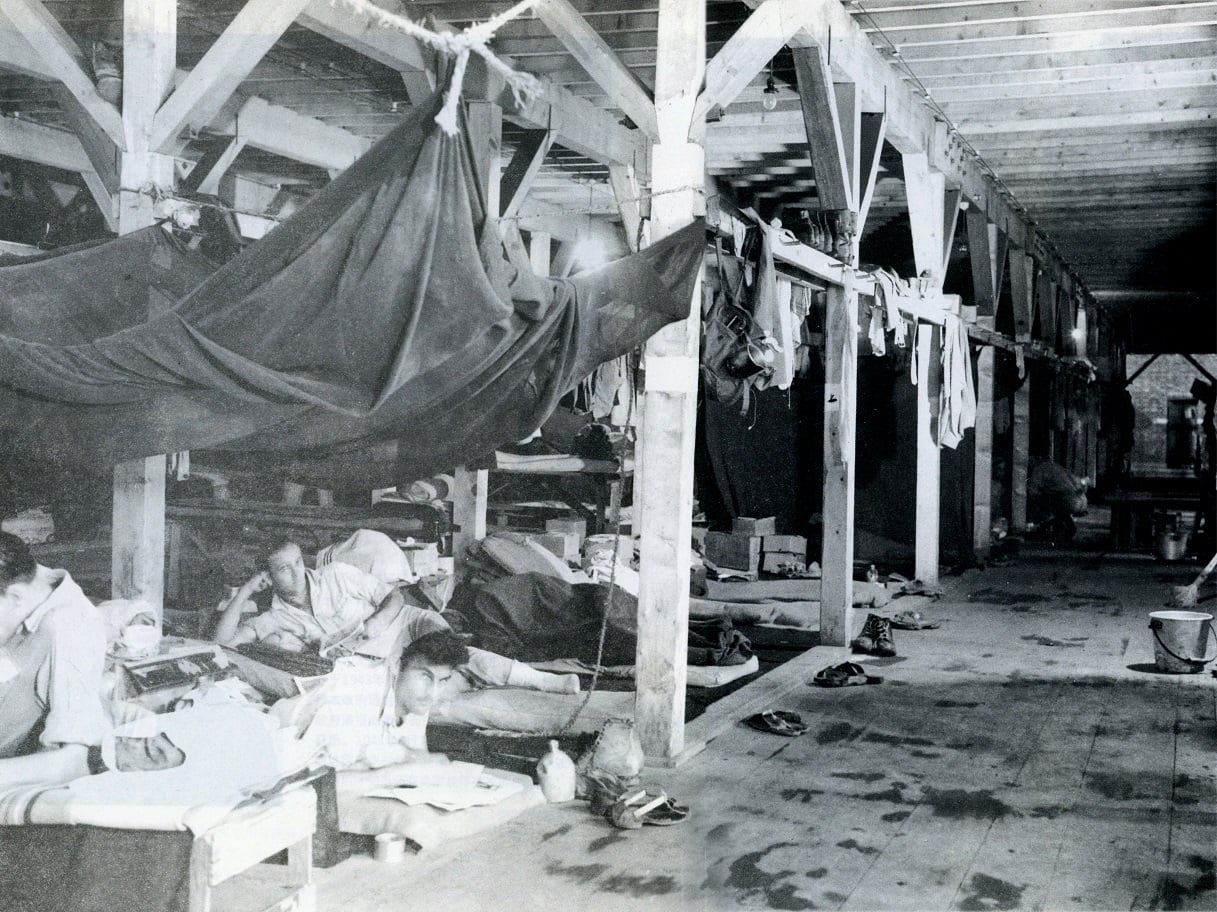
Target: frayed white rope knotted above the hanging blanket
{"type": "Point", "coordinates": [474, 40]}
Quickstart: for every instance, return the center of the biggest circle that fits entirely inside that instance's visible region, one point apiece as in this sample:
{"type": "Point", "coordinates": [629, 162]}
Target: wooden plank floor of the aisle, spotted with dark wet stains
{"type": "Point", "coordinates": [1023, 757]}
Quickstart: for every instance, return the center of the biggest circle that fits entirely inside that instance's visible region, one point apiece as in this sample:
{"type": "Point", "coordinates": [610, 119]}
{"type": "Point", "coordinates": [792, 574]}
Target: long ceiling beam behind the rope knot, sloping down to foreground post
{"type": "Point", "coordinates": [581, 126]}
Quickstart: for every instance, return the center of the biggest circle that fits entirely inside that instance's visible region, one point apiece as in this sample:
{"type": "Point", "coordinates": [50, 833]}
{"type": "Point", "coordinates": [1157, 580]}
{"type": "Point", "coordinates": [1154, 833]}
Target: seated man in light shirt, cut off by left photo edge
{"type": "Point", "coordinates": [53, 652]}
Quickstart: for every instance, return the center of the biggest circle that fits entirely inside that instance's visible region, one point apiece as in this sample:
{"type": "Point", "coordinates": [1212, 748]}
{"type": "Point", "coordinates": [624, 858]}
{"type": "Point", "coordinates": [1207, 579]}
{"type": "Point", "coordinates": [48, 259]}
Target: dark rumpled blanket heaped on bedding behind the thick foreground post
{"type": "Point", "coordinates": [536, 618]}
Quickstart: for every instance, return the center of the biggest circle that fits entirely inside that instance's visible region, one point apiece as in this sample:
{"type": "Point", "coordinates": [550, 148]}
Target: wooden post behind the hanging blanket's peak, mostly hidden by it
{"type": "Point", "coordinates": [473, 486]}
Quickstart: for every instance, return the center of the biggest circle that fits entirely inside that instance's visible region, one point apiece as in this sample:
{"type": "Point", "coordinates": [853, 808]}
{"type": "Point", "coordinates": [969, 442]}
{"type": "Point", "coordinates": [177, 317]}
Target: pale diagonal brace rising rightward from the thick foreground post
{"type": "Point", "coordinates": [749, 51]}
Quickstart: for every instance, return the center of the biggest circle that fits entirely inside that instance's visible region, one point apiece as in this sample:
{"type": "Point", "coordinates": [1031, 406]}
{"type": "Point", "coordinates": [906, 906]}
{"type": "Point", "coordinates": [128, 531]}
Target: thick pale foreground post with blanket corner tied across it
{"type": "Point", "coordinates": [671, 398]}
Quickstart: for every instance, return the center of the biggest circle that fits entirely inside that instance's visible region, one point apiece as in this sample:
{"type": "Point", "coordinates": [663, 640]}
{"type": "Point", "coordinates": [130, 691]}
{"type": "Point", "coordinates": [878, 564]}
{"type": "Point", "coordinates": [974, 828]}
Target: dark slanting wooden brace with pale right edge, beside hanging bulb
{"type": "Point", "coordinates": [823, 126]}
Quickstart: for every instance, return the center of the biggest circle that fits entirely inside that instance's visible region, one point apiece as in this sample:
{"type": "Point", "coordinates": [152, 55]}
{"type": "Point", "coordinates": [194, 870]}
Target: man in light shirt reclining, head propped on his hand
{"type": "Point", "coordinates": [311, 608]}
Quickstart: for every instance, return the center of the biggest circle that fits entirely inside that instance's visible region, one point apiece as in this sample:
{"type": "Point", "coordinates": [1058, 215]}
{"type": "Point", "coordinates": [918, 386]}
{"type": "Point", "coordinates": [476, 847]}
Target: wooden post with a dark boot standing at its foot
{"type": "Point", "coordinates": [840, 424]}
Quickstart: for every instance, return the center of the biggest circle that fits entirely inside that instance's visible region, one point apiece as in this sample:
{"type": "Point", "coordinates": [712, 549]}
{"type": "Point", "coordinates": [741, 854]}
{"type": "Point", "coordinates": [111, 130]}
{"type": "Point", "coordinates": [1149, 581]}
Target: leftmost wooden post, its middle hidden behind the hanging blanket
{"type": "Point", "coordinates": [138, 524]}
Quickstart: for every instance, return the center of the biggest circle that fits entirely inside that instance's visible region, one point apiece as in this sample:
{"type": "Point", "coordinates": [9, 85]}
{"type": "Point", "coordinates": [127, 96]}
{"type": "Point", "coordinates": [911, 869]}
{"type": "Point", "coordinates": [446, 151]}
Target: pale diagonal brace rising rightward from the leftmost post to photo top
{"type": "Point", "coordinates": [199, 98]}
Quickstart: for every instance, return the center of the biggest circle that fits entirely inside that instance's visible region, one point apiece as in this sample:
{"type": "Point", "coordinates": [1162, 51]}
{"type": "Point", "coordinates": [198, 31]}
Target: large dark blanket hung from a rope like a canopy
{"type": "Point", "coordinates": [378, 335]}
